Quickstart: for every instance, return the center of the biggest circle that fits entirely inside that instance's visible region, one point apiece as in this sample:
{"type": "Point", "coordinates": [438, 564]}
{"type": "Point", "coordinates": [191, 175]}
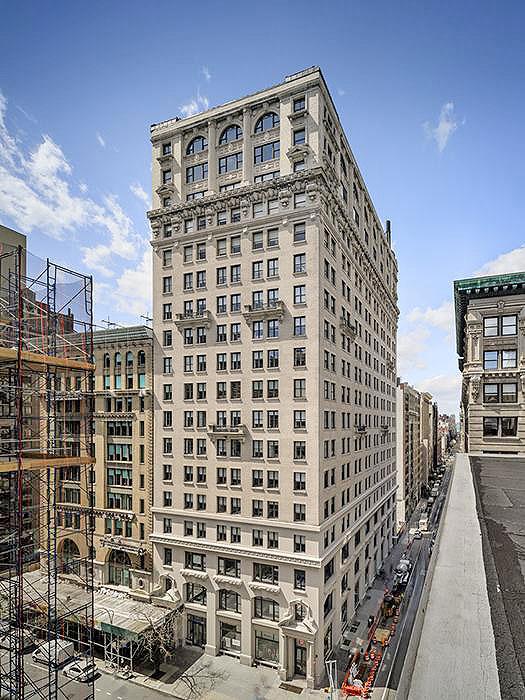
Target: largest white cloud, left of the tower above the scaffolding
{"type": "Point", "coordinates": [35, 193]}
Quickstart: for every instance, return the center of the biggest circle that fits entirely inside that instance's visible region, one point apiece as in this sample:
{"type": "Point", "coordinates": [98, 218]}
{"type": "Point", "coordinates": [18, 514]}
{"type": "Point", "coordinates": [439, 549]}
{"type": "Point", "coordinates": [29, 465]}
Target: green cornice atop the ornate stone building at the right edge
{"type": "Point", "coordinates": [479, 288]}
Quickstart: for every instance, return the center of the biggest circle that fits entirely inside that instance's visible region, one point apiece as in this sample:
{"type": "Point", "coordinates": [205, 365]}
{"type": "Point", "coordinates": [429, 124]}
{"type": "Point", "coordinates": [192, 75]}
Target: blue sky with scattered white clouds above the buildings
{"type": "Point", "coordinates": [431, 96]}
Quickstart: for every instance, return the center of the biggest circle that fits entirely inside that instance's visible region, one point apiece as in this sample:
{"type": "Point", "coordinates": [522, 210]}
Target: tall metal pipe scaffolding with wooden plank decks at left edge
{"type": "Point", "coordinates": [46, 469]}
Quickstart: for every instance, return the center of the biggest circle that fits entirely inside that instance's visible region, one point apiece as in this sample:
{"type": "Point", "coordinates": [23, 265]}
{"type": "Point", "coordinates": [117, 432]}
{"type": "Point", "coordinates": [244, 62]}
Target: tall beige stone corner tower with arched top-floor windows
{"type": "Point", "coordinates": [275, 317]}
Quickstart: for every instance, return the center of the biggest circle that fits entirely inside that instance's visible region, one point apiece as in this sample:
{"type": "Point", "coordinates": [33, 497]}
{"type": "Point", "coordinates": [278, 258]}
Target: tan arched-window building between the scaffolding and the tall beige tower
{"type": "Point", "coordinates": [123, 472]}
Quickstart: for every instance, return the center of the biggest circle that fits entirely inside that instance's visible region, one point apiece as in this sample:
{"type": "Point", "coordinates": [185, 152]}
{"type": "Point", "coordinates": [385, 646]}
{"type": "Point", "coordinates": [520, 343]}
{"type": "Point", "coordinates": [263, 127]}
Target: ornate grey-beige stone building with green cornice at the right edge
{"type": "Point", "coordinates": [490, 336]}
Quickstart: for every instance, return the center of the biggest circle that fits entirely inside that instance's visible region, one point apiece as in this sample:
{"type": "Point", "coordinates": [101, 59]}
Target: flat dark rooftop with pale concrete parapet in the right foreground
{"type": "Point", "coordinates": [471, 648]}
